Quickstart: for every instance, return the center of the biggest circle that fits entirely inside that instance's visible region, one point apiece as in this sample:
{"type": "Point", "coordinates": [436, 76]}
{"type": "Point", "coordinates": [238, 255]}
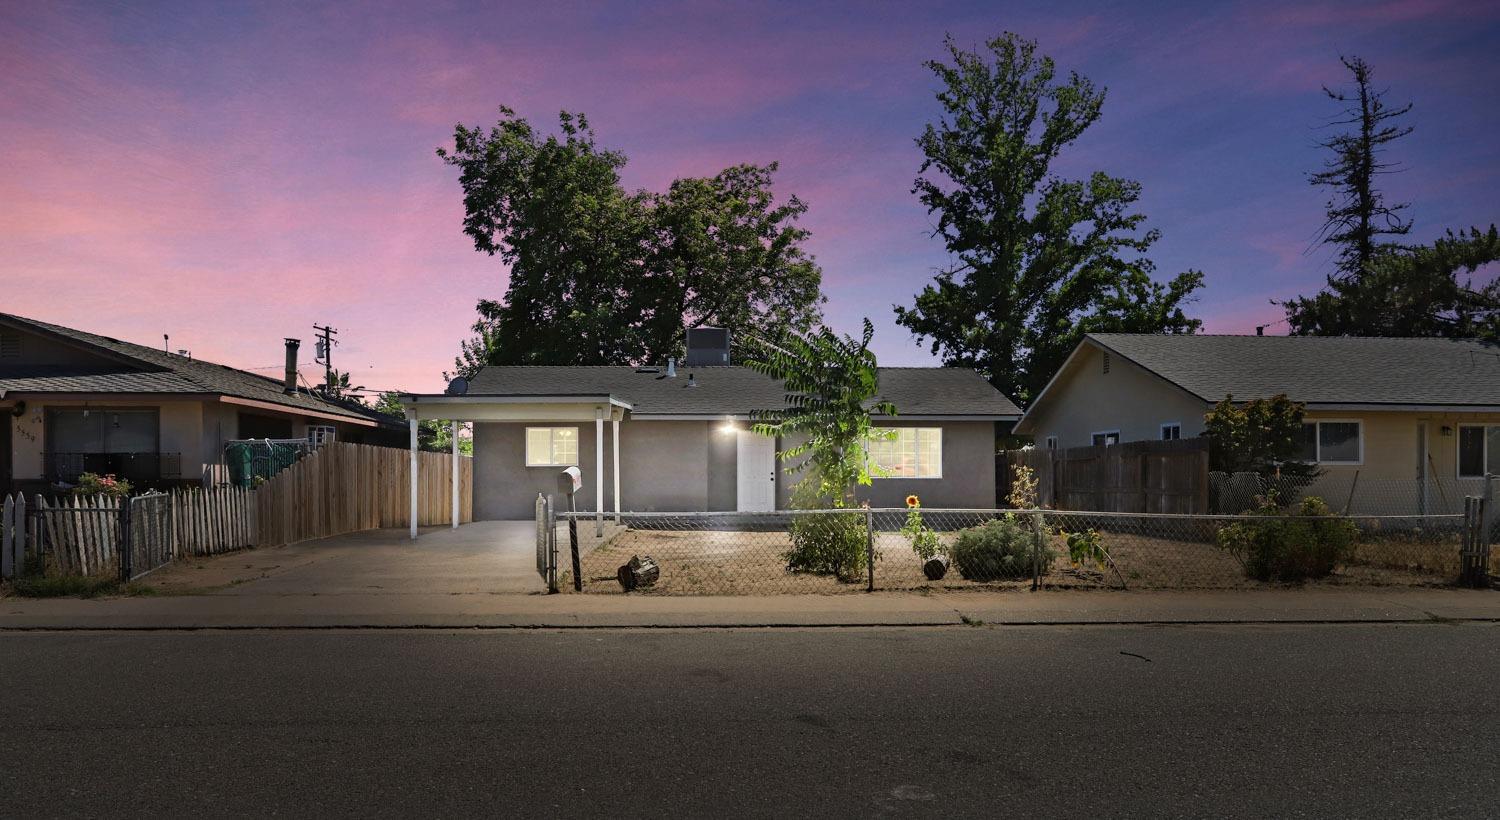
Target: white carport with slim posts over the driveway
{"type": "Point", "coordinates": [458, 407]}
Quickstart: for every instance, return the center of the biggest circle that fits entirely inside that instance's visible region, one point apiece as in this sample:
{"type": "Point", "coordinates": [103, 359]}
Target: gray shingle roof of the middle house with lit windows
{"type": "Point", "coordinates": [740, 391]}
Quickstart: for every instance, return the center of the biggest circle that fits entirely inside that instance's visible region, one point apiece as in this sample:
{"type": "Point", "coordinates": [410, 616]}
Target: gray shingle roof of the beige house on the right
{"type": "Point", "coordinates": [1319, 370]}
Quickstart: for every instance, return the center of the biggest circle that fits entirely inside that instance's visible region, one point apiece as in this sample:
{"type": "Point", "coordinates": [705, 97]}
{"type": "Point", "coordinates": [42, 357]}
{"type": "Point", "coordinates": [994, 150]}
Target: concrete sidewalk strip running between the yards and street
{"type": "Point", "coordinates": [893, 609]}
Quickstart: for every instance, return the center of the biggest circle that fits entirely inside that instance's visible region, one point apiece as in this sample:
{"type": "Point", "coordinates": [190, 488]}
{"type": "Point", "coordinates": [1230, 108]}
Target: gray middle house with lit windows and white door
{"type": "Point", "coordinates": [680, 440]}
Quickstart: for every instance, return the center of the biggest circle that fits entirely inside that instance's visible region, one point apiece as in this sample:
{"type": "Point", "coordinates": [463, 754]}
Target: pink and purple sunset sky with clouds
{"type": "Point", "coordinates": [235, 173]}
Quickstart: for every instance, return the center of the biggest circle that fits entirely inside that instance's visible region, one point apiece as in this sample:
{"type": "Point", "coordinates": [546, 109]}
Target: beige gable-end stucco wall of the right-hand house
{"type": "Point", "coordinates": [1130, 400]}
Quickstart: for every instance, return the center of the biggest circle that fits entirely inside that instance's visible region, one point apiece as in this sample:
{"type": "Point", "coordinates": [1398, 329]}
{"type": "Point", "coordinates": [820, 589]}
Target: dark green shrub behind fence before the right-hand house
{"type": "Point", "coordinates": [1307, 542]}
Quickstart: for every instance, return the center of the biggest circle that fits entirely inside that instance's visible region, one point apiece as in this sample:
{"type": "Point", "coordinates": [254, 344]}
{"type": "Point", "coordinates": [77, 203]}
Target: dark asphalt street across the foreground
{"type": "Point", "coordinates": [1015, 722]}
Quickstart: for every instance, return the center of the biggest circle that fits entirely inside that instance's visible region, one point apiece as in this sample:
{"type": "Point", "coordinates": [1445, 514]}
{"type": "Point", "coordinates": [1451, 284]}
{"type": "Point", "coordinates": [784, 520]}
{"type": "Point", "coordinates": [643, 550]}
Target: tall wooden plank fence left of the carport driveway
{"type": "Point", "coordinates": [350, 488]}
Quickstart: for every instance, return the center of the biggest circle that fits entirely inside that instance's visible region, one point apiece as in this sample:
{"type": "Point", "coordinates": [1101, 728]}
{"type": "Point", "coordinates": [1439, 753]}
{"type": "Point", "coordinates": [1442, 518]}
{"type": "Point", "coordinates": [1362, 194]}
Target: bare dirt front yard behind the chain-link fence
{"type": "Point", "coordinates": [731, 563]}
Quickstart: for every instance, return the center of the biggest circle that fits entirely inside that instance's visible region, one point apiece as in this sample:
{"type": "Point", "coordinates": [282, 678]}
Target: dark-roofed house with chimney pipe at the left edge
{"type": "Point", "coordinates": [77, 403]}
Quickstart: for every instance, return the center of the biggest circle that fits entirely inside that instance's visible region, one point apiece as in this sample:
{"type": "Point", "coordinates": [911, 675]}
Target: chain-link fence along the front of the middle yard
{"type": "Point", "coordinates": [850, 551]}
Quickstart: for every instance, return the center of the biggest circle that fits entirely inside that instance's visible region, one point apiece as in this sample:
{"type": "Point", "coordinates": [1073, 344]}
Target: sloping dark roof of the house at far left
{"type": "Point", "coordinates": [130, 368]}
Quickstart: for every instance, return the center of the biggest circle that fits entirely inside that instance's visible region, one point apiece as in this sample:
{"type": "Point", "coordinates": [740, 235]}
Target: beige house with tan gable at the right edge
{"type": "Point", "coordinates": [1412, 419]}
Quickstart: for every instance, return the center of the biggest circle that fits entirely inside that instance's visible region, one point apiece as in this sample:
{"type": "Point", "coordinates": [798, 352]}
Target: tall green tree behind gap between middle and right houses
{"type": "Point", "coordinates": [1040, 260]}
